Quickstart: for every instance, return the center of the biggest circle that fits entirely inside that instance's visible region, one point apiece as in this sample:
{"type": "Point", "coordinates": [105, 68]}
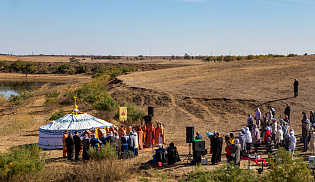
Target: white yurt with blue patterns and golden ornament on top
{"type": "Point", "coordinates": [50, 135]}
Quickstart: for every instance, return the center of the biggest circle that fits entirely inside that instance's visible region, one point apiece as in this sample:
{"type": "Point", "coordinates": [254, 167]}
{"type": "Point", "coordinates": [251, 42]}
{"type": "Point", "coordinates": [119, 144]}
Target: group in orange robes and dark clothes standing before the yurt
{"type": "Point", "coordinates": [126, 141]}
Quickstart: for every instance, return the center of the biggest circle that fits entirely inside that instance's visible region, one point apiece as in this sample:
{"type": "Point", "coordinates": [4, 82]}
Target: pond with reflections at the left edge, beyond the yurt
{"type": "Point", "coordinates": [8, 88]}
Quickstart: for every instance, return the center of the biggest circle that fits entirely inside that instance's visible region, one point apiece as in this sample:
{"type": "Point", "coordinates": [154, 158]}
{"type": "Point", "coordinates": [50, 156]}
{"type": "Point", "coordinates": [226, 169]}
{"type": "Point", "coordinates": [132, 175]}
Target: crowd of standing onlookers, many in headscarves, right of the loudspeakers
{"type": "Point", "coordinates": [264, 129]}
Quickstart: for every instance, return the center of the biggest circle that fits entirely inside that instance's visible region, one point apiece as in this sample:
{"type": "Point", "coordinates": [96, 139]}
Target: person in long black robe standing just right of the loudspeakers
{"type": "Point", "coordinates": [216, 148]}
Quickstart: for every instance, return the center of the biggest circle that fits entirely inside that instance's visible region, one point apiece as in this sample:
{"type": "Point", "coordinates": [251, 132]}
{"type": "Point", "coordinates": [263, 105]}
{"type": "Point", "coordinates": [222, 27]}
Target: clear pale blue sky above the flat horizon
{"type": "Point", "coordinates": [162, 27]}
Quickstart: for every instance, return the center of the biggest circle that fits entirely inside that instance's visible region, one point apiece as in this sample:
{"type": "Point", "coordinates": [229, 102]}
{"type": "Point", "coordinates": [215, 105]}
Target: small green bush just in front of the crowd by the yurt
{"type": "Point", "coordinates": [106, 151]}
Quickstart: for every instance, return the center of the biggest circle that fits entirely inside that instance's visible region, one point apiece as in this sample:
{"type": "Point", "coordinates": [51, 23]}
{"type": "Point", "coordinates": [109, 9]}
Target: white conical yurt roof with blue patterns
{"type": "Point", "coordinates": [75, 122]}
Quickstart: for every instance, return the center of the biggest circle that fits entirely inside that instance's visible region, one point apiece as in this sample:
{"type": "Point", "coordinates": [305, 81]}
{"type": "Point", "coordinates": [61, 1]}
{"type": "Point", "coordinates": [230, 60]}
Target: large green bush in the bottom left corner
{"type": "Point", "coordinates": [20, 160]}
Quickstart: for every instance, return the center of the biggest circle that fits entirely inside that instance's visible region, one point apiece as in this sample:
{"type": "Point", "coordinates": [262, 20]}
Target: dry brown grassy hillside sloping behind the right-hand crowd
{"type": "Point", "coordinates": [218, 96]}
